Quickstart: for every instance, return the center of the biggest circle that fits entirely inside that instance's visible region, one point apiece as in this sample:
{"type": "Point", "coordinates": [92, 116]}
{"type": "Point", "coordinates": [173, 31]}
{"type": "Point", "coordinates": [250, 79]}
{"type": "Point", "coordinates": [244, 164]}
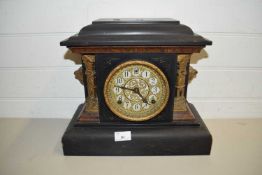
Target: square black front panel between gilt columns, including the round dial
{"type": "Point", "coordinates": [135, 87]}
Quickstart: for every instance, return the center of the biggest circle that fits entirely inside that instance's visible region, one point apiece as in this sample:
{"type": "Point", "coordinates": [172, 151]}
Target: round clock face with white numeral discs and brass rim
{"type": "Point", "coordinates": [136, 90]}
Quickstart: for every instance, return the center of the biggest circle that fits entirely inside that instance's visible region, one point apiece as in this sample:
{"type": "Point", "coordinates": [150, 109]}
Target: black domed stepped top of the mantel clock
{"type": "Point", "coordinates": [136, 32]}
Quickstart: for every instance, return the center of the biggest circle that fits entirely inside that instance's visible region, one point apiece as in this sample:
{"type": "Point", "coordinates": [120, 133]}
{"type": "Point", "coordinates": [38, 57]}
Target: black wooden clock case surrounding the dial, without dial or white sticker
{"type": "Point", "coordinates": [167, 44]}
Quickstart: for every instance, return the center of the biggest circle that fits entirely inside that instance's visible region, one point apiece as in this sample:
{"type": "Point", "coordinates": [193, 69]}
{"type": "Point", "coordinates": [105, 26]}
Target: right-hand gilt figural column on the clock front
{"type": "Point", "coordinates": [180, 99]}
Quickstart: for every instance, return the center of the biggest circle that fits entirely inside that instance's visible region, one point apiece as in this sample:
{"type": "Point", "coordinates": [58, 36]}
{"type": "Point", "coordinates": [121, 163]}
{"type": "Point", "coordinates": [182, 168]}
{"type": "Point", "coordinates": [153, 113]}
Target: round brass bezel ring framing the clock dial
{"type": "Point", "coordinates": [149, 65]}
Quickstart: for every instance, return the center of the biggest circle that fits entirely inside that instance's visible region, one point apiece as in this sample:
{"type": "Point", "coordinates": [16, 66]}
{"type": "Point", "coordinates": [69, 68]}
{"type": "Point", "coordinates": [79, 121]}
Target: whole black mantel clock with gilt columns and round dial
{"type": "Point", "coordinates": [135, 74]}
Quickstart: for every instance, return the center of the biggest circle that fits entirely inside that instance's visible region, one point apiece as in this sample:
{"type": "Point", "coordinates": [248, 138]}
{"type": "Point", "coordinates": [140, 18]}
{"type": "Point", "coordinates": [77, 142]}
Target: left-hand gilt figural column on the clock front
{"type": "Point", "coordinates": [91, 100]}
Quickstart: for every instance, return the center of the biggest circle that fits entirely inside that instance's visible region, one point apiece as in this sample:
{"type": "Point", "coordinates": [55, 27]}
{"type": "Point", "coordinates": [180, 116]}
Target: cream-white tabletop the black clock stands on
{"type": "Point", "coordinates": [33, 146]}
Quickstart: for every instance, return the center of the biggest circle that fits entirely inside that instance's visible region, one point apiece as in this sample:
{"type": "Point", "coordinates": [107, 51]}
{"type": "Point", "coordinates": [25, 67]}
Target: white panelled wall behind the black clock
{"type": "Point", "coordinates": [36, 80]}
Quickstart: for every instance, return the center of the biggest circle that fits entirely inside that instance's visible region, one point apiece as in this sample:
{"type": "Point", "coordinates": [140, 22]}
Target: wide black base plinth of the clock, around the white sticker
{"type": "Point", "coordinates": [162, 139]}
